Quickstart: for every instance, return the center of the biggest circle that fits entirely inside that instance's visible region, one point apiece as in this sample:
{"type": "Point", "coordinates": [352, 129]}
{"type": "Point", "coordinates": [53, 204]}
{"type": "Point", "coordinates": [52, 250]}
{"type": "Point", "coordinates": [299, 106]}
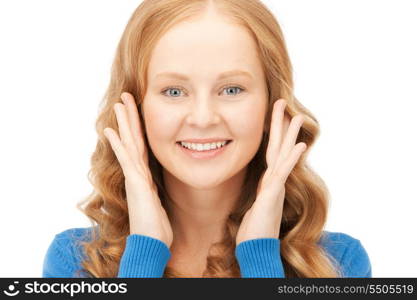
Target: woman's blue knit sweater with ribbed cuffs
{"type": "Point", "coordinates": [145, 256]}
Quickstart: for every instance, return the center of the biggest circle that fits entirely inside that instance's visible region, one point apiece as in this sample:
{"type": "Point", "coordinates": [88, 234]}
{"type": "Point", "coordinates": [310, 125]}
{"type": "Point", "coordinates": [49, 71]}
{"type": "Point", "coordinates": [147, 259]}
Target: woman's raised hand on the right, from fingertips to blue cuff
{"type": "Point", "coordinates": [263, 219]}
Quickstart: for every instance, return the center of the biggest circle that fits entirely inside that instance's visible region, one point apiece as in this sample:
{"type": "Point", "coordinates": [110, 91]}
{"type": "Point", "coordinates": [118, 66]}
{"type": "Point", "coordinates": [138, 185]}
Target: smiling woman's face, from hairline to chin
{"type": "Point", "coordinates": [204, 103]}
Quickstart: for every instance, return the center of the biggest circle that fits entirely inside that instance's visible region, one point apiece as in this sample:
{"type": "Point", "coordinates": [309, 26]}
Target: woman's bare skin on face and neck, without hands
{"type": "Point", "coordinates": [203, 192]}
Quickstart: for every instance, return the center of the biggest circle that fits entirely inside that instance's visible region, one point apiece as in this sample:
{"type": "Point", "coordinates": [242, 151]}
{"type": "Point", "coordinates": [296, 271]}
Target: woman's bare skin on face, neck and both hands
{"type": "Point", "coordinates": [203, 192]}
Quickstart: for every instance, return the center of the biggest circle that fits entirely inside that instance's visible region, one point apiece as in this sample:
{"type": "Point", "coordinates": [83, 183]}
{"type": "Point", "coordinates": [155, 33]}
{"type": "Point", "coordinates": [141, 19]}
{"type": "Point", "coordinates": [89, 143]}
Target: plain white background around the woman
{"type": "Point", "coordinates": [355, 69]}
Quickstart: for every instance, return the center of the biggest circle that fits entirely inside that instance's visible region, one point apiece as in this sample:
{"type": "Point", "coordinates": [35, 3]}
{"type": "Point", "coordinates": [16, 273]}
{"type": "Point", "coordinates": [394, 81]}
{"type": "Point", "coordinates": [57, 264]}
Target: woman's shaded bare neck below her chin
{"type": "Point", "coordinates": [198, 216]}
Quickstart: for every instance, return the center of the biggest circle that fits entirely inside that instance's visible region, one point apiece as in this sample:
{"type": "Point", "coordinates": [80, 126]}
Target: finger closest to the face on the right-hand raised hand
{"type": "Point", "coordinates": [275, 133]}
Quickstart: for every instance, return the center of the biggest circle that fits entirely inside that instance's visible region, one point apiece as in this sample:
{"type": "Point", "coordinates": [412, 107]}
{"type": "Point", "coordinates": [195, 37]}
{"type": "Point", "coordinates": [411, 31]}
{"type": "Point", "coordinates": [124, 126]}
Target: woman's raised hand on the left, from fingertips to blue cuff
{"type": "Point", "coordinates": [146, 213]}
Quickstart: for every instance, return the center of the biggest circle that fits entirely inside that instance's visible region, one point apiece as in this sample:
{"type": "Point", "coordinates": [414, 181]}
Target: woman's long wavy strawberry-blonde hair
{"type": "Point", "coordinates": [306, 199]}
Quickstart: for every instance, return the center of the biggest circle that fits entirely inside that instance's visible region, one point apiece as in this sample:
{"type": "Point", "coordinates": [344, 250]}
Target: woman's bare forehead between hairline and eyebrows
{"type": "Point", "coordinates": [205, 48]}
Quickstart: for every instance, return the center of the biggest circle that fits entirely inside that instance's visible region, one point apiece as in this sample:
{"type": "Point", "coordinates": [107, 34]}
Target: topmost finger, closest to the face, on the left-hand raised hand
{"type": "Point", "coordinates": [134, 121]}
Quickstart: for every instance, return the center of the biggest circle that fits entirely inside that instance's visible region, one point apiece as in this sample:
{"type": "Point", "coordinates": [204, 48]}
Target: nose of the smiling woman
{"type": "Point", "coordinates": [203, 112]}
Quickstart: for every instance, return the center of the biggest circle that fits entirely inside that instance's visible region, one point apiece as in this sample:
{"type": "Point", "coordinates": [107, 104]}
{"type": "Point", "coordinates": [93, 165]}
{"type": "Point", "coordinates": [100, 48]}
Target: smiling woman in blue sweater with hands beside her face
{"type": "Point", "coordinates": [200, 170]}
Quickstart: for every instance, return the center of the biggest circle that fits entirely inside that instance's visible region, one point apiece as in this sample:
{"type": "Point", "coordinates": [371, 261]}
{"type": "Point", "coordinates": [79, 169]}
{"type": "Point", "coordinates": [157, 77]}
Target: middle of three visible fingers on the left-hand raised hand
{"type": "Point", "coordinates": [125, 132]}
